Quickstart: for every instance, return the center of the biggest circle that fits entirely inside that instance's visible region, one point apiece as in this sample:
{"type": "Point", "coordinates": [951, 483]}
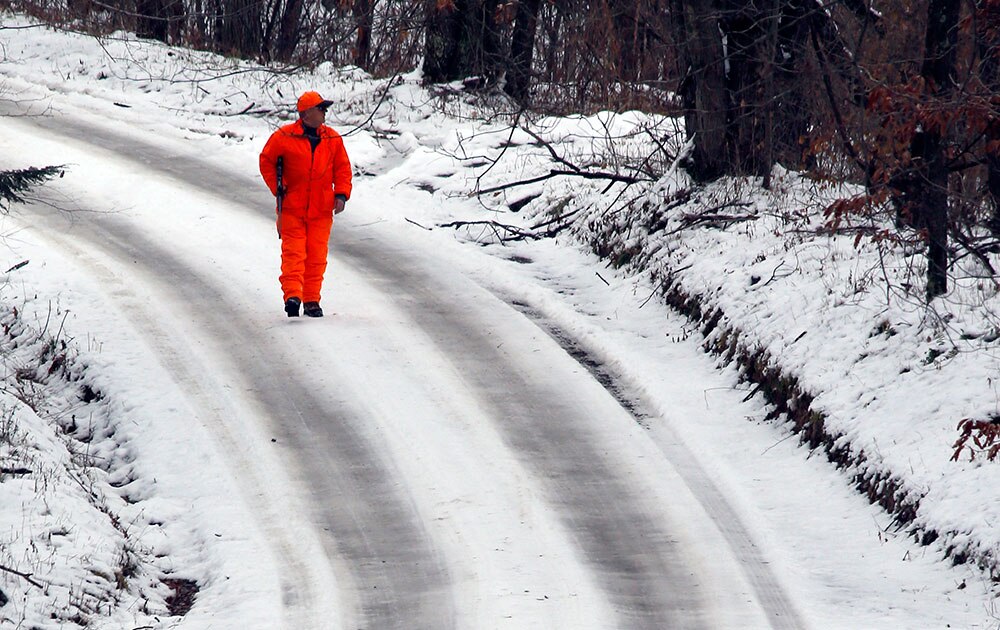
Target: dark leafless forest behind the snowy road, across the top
{"type": "Point", "coordinates": [900, 97]}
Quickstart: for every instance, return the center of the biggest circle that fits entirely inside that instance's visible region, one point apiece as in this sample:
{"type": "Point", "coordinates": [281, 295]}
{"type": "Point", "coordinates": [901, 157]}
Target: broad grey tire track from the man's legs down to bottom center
{"type": "Point", "coordinates": [643, 569]}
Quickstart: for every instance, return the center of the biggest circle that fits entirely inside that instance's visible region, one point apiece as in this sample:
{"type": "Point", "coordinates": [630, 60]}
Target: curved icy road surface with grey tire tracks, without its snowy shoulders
{"type": "Point", "coordinates": [535, 445]}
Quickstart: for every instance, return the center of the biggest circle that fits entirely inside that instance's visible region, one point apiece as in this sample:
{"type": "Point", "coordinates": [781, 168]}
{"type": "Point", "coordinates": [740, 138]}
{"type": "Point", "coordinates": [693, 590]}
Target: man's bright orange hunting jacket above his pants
{"type": "Point", "coordinates": [312, 179]}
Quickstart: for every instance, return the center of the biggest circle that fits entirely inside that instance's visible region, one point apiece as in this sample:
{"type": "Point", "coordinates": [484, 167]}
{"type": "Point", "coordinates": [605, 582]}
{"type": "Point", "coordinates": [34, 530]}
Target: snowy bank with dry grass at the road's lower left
{"type": "Point", "coordinates": [66, 463]}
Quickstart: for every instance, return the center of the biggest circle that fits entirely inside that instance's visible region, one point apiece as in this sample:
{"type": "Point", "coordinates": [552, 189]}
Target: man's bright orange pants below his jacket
{"type": "Point", "coordinates": [304, 245]}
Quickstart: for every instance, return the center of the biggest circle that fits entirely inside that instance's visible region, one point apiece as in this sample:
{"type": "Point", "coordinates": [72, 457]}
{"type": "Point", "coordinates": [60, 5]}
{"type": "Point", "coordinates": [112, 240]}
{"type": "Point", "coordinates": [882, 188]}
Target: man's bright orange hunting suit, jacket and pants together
{"type": "Point", "coordinates": [312, 179]}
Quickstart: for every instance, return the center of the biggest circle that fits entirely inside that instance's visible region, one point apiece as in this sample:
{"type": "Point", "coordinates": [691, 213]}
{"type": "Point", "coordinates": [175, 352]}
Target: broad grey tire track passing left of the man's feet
{"type": "Point", "coordinates": [396, 573]}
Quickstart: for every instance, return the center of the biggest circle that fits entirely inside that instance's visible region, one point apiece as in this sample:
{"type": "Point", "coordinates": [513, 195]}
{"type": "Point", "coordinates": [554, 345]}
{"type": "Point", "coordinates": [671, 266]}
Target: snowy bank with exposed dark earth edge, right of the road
{"type": "Point", "coordinates": [836, 337]}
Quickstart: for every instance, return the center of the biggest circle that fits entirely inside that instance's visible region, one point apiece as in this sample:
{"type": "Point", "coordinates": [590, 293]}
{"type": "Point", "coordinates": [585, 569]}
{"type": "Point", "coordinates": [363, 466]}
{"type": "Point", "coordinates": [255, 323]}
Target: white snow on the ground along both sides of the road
{"type": "Point", "coordinates": [891, 376]}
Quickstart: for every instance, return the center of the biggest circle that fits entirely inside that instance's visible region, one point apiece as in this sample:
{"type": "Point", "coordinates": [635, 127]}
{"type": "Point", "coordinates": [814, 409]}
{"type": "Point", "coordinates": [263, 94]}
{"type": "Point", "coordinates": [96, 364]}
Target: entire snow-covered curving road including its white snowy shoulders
{"type": "Point", "coordinates": [438, 451]}
